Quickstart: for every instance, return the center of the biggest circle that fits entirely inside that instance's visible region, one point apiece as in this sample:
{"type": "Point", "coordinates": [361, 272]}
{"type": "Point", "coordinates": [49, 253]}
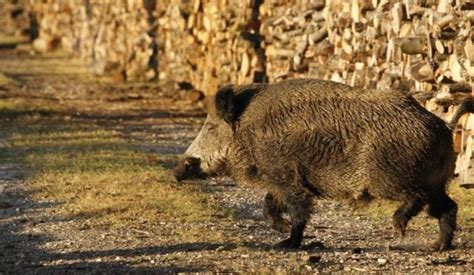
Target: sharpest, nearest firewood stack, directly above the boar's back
{"type": "Point", "coordinates": [416, 45]}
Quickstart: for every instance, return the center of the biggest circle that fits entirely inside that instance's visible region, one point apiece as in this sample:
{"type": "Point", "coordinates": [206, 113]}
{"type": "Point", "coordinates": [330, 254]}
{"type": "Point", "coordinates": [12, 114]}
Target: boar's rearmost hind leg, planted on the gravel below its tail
{"type": "Point", "coordinates": [444, 209]}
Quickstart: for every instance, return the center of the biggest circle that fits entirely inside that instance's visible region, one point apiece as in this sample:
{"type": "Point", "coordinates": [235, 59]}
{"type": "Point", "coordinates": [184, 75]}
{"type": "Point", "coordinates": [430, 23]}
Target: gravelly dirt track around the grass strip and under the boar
{"type": "Point", "coordinates": [36, 236]}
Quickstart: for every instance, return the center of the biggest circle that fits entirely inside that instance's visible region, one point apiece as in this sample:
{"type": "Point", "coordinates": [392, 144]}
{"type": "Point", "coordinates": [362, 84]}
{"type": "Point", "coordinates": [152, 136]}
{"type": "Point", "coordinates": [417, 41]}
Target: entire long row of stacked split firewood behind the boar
{"type": "Point", "coordinates": [417, 45]}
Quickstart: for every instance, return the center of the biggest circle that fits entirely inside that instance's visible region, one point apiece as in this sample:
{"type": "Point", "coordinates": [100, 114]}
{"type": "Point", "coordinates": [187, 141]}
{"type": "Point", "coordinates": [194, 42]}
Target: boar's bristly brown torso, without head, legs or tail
{"type": "Point", "coordinates": [347, 139]}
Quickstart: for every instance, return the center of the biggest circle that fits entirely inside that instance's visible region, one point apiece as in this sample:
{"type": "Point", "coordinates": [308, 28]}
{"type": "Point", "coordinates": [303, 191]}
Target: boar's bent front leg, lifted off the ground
{"type": "Point", "coordinates": [273, 211]}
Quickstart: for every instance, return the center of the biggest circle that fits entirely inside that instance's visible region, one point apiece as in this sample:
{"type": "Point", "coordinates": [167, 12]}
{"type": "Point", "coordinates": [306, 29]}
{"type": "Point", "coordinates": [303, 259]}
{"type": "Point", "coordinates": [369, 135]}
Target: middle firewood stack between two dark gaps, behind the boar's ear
{"type": "Point", "coordinates": [208, 43]}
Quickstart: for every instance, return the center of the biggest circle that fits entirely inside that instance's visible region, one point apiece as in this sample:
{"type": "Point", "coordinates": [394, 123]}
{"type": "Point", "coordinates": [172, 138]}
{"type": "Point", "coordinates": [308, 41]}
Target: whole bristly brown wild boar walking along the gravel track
{"type": "Point", "coordinates": [303, 139]}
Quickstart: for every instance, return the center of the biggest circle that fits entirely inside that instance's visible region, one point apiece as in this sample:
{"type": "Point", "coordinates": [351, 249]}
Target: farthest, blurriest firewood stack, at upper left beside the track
{"type": "Point", "coordinates": [116, 38]}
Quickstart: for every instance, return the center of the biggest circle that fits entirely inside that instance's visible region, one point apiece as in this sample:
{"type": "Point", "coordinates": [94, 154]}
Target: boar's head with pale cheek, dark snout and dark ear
{"type": "Point", "coordinates": [207, 155]}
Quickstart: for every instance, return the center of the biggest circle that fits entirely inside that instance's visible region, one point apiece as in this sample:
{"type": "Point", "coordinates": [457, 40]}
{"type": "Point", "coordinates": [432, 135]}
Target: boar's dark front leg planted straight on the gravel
{"type": "Point", "coordinates": [299, 208]}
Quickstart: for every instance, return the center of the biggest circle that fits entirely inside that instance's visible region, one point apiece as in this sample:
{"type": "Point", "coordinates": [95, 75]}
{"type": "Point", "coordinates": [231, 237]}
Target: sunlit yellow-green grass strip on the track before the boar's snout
{"type": "Point", "coordinates": [97, 173]}
